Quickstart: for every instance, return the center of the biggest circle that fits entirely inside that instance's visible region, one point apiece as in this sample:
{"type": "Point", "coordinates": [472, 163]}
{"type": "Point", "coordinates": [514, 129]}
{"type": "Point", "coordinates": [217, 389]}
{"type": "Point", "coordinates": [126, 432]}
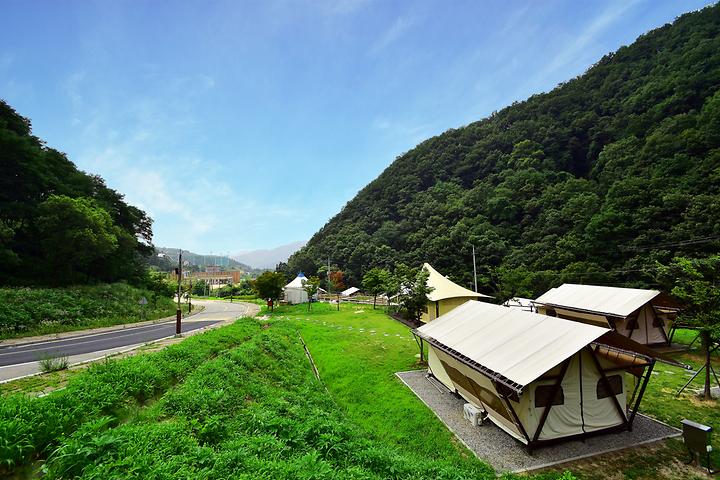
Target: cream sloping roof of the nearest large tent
{"type": "Point", "coordinates": [517, 345]}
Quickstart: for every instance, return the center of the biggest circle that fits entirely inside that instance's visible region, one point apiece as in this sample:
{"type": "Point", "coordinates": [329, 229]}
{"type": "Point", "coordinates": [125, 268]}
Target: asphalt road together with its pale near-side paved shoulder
{"type": "Point", "coordinates": [19, 359]}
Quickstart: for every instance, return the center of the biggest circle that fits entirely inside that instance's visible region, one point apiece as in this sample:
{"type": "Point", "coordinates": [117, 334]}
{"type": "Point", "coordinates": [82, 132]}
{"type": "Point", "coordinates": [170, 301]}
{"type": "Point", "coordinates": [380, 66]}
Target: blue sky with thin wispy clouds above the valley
{"type": "Point", "coordinates": [239, 125]}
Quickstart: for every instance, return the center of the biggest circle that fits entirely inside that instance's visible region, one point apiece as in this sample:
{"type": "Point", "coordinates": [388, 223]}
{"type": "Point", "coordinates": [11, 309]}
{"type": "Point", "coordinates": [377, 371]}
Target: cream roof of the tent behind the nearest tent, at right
{"type": "Point", "coordinates": [614, 301]}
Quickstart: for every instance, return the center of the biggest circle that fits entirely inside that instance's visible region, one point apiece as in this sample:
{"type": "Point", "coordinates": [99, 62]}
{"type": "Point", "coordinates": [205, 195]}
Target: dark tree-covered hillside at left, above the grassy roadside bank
{"type": "Point", "coordinates": [59, 225]}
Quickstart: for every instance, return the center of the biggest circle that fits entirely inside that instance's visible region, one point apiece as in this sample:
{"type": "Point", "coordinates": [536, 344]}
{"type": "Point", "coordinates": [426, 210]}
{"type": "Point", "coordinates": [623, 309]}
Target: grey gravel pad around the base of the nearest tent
{"type": "Point", "coordinates": [505, 453]}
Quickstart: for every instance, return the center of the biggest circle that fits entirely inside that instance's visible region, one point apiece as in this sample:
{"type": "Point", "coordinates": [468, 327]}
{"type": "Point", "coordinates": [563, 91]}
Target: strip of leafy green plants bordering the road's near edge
{"type": "Point", "coordinates": [32, 427]}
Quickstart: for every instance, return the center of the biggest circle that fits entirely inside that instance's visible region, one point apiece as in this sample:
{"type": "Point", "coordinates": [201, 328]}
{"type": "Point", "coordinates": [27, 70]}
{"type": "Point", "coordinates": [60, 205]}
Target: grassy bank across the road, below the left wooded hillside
{"type": "Point", "coordinates": [38, 311]}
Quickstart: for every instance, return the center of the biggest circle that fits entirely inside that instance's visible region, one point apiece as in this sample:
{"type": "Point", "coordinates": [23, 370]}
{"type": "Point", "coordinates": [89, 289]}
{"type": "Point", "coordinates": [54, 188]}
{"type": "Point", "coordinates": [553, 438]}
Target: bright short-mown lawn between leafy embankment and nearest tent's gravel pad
{"type": "Point", "coordinates": [357, 355]}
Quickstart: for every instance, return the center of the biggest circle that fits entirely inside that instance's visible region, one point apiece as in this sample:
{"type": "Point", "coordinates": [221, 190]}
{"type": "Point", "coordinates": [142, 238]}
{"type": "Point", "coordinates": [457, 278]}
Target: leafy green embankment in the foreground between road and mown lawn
{"type": "Point", "coordinates": [236, 402]}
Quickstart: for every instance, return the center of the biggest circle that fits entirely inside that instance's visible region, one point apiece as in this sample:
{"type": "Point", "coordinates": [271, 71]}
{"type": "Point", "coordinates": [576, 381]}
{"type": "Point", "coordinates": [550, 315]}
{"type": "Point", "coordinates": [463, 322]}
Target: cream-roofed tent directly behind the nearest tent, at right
{"type": "Point", "coordinates": [641, 315]}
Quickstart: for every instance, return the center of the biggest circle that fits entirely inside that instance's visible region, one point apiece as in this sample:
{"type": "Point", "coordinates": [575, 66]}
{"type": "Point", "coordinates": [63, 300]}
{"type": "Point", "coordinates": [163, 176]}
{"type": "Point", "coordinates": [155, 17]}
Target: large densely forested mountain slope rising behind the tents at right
{"type": "Point", "coordinates": [594, 181]}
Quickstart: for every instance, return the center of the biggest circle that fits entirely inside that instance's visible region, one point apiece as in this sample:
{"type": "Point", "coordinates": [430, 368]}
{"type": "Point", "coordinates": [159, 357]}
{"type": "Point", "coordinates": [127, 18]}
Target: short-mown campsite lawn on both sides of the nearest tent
{"type": "Point", "coordinates": [358, 349]}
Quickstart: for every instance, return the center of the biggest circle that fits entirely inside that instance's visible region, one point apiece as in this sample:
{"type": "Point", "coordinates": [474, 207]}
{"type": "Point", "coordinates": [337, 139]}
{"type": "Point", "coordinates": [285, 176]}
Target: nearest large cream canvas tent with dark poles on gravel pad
{"type": "Point", "coordinates": [541, 379]}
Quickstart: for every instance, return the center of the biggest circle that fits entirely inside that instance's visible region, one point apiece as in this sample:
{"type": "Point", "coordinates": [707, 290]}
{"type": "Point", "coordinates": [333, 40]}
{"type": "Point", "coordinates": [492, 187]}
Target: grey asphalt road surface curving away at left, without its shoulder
{"type": "Point", "coordinates": [81, 344]}
